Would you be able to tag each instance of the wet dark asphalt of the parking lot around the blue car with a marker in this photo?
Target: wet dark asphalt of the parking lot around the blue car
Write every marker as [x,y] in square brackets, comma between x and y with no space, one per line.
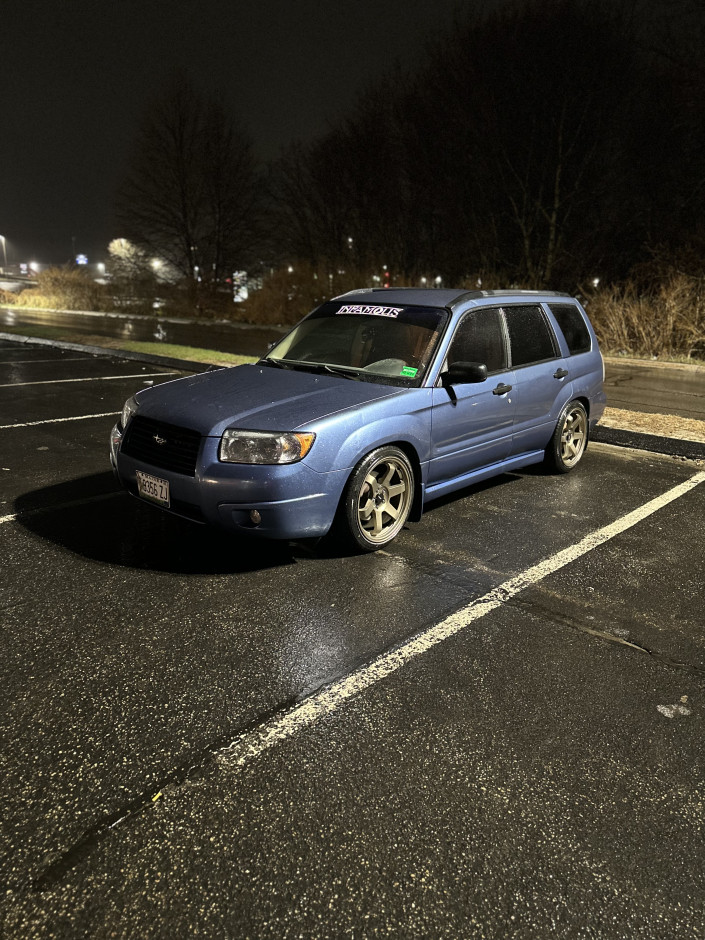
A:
[536,773]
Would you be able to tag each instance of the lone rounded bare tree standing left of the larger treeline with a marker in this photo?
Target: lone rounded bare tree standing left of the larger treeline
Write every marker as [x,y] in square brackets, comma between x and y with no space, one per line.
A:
[189,195]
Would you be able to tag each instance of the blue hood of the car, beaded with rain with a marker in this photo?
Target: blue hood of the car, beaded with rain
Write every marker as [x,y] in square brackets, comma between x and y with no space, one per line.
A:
[259,398]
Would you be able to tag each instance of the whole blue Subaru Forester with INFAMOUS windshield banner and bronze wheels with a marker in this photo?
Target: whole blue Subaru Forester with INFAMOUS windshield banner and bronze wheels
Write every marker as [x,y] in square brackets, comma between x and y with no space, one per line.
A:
[376,402]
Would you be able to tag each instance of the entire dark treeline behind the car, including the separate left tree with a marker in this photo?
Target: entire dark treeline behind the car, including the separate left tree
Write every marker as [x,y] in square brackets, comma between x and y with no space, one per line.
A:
[548,144]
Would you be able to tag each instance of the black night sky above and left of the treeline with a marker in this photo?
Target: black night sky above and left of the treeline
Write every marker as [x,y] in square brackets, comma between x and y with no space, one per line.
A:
[77,76]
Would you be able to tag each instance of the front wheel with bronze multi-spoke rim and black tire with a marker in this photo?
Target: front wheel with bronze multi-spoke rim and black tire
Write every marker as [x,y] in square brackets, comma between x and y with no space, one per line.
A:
[377,499]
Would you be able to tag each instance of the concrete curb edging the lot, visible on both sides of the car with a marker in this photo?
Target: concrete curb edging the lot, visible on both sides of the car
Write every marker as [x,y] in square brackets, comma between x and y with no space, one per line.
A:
[691,450]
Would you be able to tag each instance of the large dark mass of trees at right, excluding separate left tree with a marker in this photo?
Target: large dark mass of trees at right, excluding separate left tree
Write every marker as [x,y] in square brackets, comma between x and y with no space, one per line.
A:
[548,143]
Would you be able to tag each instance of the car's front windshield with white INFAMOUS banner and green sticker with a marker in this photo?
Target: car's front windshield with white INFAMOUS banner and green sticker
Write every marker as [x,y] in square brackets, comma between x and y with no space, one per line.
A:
[377,343]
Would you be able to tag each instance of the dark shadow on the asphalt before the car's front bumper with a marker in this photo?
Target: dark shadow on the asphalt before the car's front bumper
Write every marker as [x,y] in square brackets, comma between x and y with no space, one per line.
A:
[93,517]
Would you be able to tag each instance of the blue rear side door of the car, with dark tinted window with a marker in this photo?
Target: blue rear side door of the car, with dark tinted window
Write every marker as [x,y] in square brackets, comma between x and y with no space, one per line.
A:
[542,380]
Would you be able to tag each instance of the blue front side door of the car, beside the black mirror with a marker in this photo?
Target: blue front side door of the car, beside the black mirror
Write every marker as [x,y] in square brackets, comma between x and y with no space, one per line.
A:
[472,423]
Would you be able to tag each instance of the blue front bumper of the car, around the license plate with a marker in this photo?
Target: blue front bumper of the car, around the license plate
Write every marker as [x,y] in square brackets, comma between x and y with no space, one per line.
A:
[292,501]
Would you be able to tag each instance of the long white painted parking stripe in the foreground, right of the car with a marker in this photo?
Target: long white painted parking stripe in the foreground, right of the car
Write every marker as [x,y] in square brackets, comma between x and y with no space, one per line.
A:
[254,742]
